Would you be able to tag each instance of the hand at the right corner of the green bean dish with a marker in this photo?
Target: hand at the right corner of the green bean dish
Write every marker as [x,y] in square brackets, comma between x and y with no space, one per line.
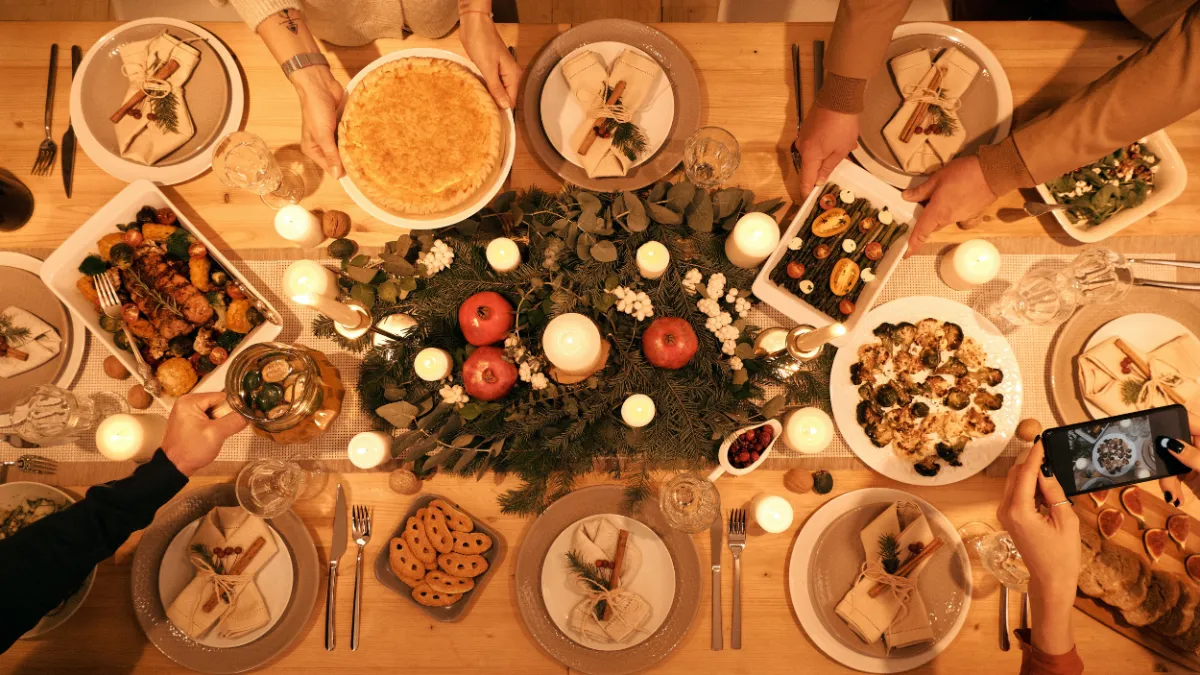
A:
[956,193]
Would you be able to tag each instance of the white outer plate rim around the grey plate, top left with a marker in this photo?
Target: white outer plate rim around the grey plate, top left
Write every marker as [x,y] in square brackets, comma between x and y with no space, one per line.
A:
[125,170]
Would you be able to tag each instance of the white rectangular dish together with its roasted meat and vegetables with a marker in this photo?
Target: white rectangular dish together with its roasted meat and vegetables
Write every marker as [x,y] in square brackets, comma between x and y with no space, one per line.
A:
[184,300]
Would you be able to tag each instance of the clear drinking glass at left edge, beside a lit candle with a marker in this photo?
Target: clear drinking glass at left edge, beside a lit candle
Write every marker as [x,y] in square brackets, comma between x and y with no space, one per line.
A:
[52,416]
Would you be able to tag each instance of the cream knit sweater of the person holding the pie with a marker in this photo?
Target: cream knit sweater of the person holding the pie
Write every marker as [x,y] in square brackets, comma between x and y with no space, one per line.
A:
[357,22]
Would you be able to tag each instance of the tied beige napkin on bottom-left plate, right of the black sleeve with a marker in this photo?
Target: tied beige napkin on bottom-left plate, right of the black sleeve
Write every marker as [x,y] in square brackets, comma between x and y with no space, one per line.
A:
[247,612]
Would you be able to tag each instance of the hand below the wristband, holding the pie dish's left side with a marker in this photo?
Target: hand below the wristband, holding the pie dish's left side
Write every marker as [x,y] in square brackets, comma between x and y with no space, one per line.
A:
[321,103]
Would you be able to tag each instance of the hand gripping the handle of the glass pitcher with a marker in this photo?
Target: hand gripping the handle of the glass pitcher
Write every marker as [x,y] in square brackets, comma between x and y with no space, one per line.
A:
[194,439]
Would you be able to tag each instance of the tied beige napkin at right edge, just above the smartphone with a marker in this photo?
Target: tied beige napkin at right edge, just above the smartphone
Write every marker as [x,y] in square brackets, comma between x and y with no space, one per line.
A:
[1113,383]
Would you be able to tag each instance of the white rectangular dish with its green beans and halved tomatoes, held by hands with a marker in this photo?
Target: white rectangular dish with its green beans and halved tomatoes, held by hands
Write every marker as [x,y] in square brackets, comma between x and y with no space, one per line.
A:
[838,253]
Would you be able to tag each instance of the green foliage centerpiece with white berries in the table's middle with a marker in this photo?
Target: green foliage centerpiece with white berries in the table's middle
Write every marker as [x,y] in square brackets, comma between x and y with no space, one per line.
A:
[579,255]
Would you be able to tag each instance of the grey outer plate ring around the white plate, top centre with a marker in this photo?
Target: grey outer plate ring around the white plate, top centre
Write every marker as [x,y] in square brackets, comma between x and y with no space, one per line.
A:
[675,64]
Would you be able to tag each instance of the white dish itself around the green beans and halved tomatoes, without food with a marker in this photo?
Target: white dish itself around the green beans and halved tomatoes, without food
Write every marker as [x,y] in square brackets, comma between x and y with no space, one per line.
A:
[850,177]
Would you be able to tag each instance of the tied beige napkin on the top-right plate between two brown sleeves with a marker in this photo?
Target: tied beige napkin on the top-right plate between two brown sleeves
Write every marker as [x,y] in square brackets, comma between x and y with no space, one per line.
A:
[932,91]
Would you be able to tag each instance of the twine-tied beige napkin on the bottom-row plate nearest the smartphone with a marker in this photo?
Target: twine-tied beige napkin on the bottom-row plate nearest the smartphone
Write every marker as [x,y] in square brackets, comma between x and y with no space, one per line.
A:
[898,616]
